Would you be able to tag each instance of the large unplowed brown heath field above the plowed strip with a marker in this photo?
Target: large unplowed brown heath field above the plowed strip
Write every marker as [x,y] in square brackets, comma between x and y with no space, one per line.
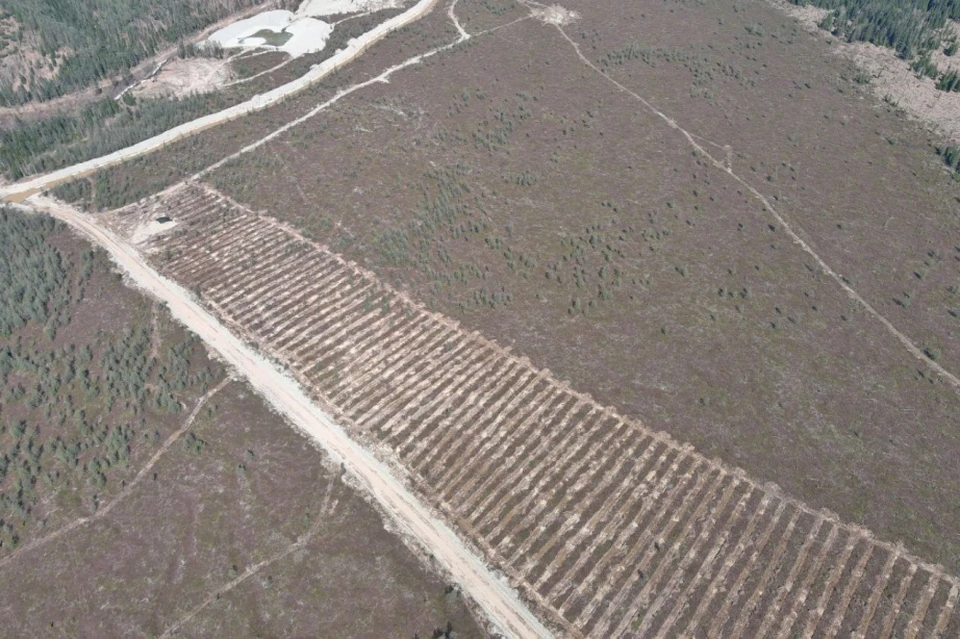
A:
[523,194]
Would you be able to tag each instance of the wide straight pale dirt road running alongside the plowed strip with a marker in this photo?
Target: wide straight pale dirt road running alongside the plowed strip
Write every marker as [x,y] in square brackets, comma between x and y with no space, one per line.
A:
[500,602]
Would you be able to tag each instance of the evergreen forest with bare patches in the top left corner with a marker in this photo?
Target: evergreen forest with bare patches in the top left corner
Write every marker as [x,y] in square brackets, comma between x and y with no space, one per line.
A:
[53,47]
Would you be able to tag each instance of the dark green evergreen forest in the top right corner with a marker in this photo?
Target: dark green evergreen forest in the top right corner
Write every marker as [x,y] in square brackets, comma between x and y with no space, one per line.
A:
[911,27]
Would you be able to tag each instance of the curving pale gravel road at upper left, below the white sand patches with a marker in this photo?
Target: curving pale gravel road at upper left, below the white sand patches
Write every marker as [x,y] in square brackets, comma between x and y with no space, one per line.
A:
[356,47]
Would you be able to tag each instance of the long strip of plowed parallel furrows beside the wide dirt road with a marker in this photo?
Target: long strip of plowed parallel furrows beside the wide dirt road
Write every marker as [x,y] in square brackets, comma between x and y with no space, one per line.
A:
[611,528]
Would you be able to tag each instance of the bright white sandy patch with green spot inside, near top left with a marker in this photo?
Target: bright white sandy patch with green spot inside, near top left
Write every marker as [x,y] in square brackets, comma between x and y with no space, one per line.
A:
[308,34]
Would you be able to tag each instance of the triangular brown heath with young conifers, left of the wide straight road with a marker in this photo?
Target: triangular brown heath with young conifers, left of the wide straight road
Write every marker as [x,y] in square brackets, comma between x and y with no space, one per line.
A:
[124,451]
